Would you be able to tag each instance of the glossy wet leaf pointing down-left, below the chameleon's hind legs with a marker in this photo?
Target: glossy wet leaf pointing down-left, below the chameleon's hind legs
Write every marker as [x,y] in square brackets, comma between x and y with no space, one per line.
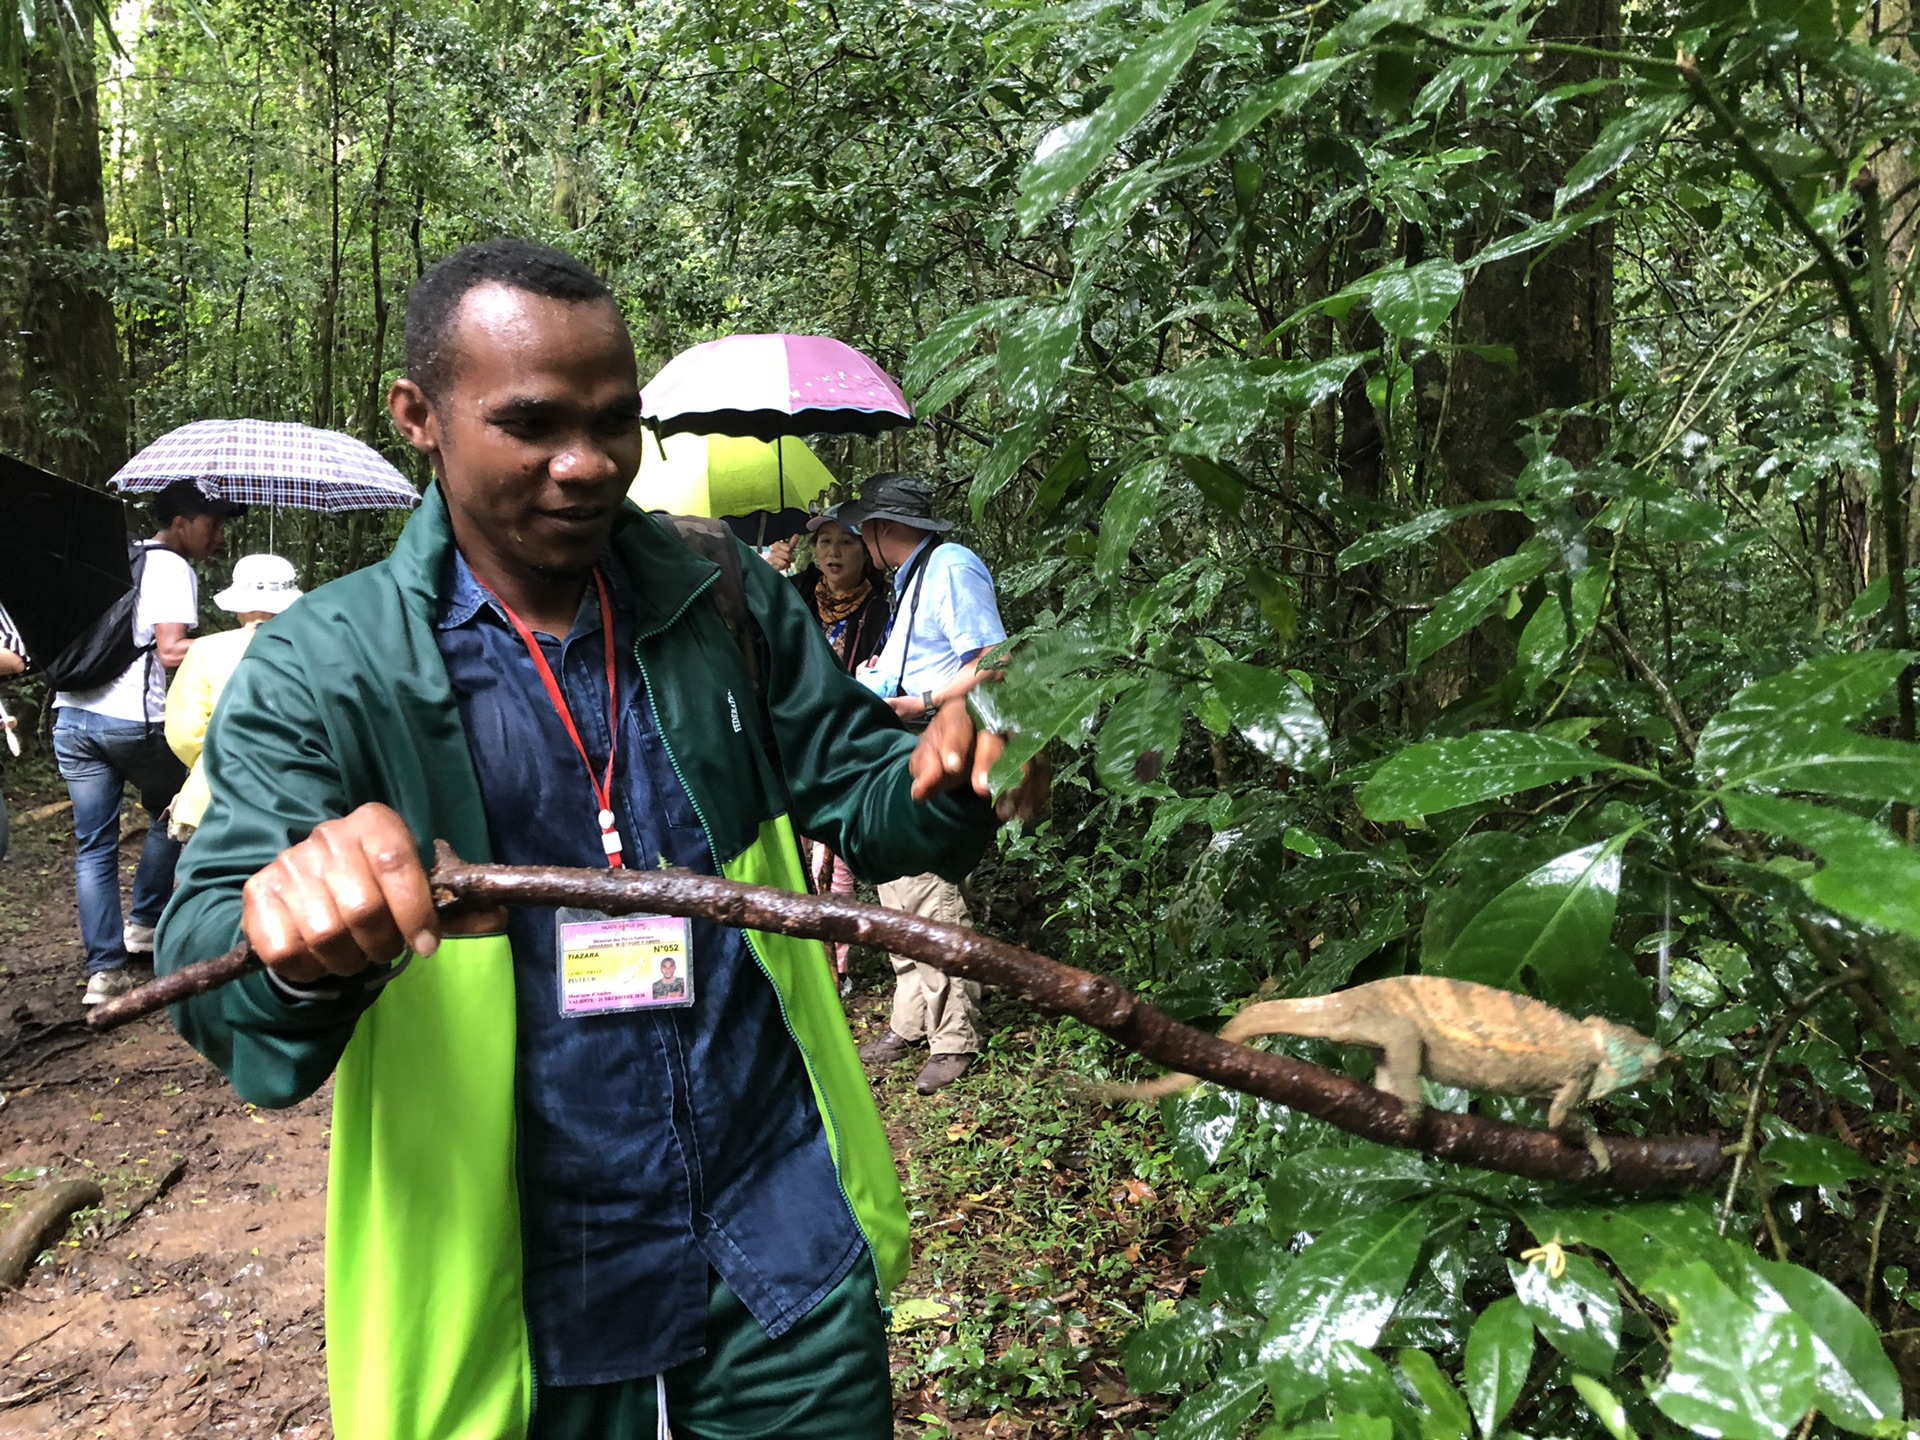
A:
[1343,1287]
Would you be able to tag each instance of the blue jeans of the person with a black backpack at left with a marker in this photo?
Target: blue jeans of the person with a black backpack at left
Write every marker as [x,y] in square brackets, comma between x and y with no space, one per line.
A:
[99,757]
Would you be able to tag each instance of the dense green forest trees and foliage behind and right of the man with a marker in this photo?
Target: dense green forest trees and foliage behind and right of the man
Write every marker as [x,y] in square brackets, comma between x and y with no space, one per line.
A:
[1451,464]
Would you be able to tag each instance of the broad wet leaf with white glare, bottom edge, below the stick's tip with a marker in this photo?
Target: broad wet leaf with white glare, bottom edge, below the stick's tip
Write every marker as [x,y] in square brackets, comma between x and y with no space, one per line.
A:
[1735,1370]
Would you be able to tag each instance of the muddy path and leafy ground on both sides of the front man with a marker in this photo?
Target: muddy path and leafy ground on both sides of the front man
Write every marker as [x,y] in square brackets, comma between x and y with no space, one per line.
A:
[189,1301]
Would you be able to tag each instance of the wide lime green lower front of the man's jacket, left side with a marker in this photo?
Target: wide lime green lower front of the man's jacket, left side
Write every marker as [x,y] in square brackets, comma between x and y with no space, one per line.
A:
[425,1322]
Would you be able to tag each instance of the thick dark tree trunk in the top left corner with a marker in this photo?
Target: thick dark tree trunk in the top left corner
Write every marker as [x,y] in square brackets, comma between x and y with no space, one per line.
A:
[62,381]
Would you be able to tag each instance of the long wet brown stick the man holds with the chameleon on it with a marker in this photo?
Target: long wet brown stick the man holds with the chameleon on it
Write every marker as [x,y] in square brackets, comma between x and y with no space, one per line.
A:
[1637,1164]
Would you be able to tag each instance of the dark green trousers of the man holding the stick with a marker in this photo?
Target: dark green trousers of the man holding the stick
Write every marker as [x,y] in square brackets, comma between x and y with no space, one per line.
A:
[825,1380]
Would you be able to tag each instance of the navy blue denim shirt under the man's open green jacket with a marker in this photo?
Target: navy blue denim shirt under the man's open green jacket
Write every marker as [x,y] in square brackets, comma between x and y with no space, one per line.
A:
[660,1145]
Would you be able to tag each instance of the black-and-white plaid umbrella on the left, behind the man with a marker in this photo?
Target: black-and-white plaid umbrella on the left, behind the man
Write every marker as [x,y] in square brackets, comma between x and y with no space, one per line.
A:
[272,464]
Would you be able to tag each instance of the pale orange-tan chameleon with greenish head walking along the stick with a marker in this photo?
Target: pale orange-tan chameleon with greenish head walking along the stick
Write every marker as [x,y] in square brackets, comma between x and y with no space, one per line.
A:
[1452,1032]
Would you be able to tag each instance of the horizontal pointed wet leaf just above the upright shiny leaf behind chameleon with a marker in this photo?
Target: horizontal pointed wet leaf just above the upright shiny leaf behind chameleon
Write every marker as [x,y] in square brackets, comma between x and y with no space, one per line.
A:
[1443,775]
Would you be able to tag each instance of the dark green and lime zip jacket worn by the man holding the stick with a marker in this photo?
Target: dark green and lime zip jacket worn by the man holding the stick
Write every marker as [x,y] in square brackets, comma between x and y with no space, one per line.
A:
[345,700]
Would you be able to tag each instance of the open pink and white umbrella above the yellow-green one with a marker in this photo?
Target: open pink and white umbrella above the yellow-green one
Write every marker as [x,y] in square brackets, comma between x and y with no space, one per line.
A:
[775,385]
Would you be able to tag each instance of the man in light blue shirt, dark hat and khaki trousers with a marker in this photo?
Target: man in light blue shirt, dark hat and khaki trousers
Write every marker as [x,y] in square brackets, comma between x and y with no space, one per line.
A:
[946,617]
